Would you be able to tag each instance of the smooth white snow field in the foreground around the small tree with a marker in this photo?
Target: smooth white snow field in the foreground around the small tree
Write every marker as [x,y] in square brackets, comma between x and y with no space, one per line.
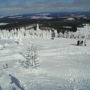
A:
[63,65]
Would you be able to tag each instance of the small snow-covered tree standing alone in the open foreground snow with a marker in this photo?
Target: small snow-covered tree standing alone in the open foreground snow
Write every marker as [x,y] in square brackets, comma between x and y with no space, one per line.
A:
[31,56]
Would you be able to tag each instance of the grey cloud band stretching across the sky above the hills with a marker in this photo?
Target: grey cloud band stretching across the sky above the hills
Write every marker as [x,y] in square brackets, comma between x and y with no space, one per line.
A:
[27,7]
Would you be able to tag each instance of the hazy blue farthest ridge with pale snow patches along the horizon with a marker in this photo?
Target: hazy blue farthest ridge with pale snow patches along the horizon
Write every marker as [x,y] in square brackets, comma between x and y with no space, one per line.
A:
[50,15]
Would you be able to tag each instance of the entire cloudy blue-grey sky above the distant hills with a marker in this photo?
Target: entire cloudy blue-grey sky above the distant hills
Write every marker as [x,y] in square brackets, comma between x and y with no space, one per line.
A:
[14,7]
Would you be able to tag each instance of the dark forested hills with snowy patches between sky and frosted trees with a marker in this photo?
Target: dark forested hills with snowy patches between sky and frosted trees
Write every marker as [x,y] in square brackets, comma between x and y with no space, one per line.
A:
[57,20]
